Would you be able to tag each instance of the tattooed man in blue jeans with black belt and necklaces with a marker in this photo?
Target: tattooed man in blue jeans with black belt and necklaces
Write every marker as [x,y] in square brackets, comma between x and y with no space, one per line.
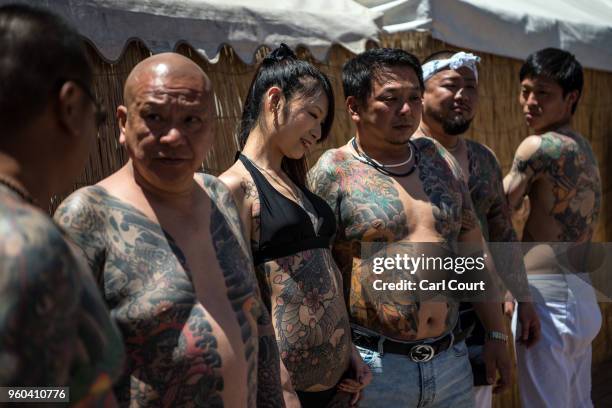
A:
[385,188]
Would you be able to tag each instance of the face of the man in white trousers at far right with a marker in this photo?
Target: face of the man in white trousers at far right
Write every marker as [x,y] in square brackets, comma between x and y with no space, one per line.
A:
[544,106]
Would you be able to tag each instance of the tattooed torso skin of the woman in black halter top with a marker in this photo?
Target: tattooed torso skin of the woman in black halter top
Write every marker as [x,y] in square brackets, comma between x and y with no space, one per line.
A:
[303,292]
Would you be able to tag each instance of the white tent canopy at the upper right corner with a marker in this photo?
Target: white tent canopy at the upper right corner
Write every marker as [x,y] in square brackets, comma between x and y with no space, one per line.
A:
[511,28]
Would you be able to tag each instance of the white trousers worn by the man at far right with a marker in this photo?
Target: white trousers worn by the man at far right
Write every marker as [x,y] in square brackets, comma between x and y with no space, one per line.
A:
[556,372]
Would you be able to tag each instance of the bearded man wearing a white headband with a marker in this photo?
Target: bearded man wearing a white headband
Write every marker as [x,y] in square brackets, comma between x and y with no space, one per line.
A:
[450,101]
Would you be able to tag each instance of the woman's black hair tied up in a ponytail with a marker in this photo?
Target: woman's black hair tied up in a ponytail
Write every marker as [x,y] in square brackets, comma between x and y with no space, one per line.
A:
[294,77]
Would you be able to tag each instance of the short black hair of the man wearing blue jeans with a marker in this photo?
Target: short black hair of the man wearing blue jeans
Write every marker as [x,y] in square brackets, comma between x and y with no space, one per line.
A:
[358,72]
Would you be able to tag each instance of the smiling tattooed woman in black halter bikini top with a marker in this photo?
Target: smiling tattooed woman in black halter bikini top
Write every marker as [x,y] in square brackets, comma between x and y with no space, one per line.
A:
[288,109]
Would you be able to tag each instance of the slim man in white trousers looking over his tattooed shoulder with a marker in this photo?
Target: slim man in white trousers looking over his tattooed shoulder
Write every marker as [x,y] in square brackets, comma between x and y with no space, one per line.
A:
[556,168]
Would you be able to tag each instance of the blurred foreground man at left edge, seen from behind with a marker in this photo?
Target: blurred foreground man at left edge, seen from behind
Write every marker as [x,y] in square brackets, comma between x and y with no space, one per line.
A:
[55,329]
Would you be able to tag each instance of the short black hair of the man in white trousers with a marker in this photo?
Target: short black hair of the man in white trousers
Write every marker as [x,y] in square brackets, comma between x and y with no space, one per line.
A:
[558,65]
